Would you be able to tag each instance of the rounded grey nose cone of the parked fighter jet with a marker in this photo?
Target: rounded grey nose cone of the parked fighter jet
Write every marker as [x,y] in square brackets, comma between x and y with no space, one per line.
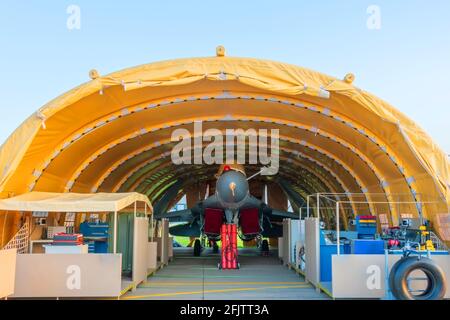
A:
[232,188]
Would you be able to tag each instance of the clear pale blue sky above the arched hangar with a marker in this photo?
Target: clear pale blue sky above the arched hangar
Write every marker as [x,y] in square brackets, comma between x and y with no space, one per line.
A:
[406,62]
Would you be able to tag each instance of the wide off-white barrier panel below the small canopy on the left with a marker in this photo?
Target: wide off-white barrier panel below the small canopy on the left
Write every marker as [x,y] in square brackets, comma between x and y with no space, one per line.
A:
[68,275]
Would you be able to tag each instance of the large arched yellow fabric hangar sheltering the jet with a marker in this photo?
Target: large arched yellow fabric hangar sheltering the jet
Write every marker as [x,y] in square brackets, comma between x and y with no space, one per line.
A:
[113,133]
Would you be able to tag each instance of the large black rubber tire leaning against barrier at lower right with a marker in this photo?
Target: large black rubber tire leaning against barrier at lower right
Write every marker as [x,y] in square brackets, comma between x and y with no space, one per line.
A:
[437,284]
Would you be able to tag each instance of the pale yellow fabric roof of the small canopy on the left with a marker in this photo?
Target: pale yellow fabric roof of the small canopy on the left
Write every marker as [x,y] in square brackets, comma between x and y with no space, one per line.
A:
[72,202]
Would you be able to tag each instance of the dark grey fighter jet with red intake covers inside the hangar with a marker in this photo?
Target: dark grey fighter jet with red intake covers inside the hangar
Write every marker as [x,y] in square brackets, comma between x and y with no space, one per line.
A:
[231,203]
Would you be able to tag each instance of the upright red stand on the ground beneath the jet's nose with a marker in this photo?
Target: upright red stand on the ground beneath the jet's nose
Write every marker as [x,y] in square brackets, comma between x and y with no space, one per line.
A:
[229,247]
